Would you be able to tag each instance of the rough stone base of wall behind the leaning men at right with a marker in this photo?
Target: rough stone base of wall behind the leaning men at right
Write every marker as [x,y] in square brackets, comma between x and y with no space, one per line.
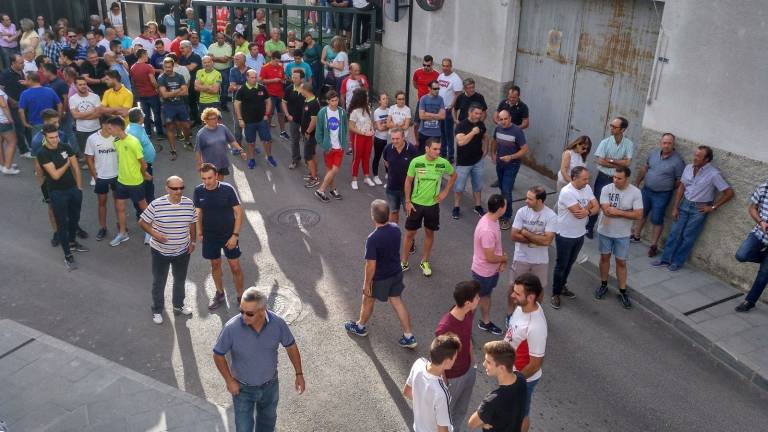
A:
[727,226]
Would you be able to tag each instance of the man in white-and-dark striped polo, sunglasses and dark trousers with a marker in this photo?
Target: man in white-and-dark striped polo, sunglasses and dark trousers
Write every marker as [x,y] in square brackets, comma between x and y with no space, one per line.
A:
[171,221]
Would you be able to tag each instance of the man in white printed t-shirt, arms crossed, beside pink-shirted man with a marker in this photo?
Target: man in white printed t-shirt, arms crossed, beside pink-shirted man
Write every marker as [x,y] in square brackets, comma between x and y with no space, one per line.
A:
[533,230]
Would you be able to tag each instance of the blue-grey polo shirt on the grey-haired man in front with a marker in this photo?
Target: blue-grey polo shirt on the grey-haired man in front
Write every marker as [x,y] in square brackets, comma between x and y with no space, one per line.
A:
[253,354]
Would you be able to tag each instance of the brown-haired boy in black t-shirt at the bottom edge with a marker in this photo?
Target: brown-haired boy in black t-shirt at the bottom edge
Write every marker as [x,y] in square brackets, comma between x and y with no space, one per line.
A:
[502,409]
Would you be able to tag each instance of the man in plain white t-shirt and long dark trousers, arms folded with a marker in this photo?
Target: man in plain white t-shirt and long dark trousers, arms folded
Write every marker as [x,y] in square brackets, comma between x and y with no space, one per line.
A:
[574,206]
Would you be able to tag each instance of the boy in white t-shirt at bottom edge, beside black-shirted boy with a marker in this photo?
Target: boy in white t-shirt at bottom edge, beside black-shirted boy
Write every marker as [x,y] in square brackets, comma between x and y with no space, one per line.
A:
[426,387]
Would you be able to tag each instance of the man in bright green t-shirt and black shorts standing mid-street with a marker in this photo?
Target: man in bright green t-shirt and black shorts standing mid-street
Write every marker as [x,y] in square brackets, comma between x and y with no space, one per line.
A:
[422,200]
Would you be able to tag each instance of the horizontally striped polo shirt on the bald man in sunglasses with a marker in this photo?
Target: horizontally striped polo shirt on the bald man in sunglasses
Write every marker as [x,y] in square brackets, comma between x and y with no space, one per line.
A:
[172,221]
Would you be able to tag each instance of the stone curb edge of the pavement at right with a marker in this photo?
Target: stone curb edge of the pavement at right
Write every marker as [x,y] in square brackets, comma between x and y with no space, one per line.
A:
[747,373]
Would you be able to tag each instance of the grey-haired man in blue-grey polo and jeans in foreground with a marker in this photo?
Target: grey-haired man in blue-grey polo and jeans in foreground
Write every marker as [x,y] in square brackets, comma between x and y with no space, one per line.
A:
[251,339]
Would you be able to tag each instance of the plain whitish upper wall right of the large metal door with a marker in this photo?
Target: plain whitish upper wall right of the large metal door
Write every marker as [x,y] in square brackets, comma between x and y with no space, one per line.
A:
[714,90]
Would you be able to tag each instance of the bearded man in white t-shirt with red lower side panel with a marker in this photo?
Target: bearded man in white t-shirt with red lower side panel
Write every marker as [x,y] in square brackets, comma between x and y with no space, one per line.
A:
[527,333]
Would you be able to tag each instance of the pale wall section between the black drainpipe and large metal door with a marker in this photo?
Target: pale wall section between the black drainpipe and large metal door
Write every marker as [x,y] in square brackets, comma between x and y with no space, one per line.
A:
[474,33]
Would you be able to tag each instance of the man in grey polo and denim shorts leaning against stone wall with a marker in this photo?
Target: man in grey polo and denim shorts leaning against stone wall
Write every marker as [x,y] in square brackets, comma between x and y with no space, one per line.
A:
[661,172]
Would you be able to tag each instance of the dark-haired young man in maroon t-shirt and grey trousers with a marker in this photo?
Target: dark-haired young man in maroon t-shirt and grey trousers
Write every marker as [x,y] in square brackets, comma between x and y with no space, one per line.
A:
[461,377]
